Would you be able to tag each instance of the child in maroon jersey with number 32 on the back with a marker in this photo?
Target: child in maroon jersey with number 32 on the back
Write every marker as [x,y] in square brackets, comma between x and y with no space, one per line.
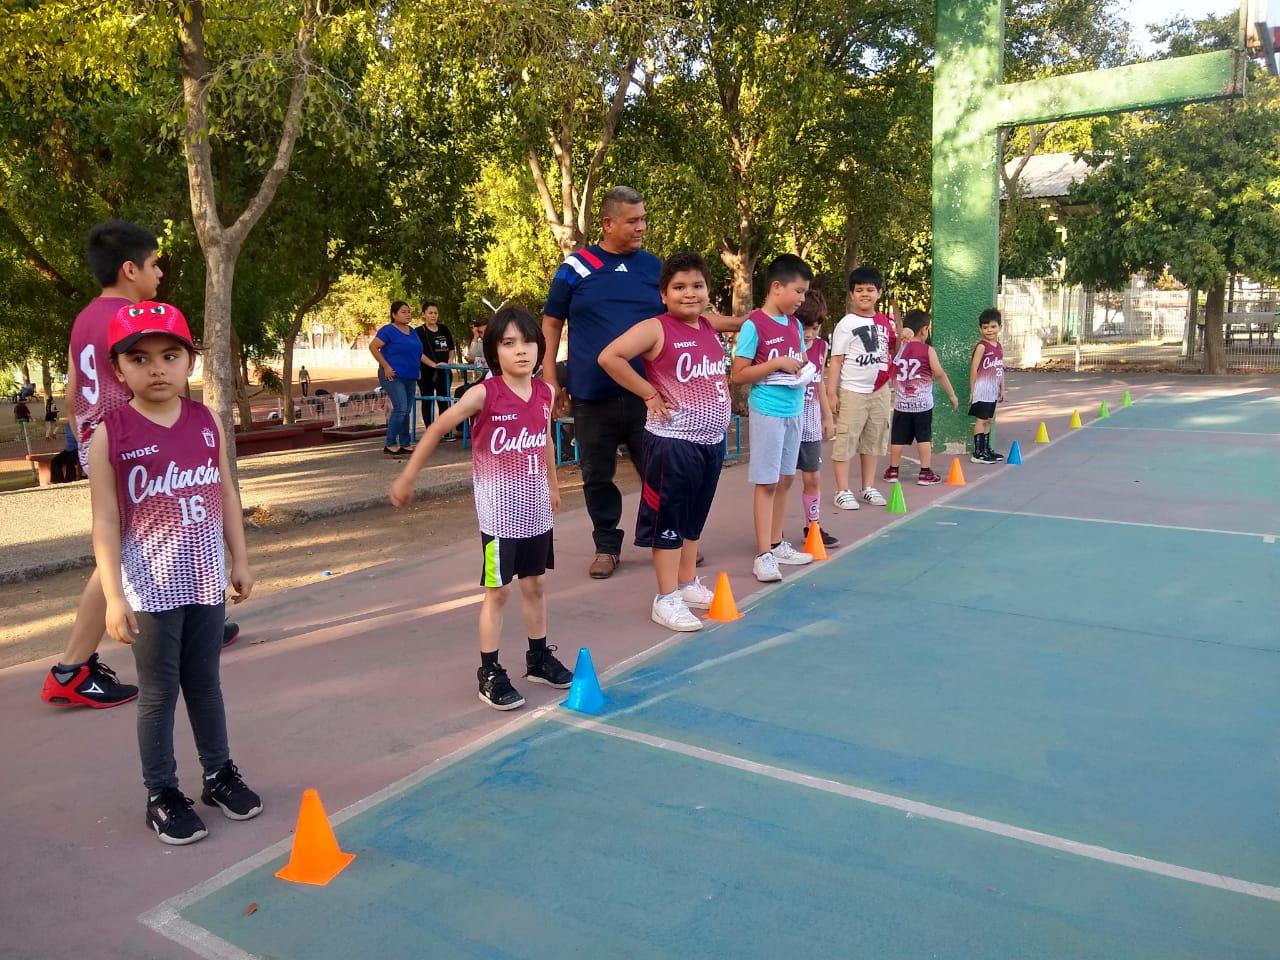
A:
[916,368]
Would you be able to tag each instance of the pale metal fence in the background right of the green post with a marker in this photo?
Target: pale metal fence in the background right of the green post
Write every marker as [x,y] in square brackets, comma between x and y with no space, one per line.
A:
[1052,324]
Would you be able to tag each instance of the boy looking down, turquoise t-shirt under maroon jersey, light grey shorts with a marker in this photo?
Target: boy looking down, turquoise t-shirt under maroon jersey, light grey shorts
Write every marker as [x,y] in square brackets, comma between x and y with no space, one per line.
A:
[769,356]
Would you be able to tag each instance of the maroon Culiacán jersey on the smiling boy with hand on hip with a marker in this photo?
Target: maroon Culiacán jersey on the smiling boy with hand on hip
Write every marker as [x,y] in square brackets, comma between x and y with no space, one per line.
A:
[689,371]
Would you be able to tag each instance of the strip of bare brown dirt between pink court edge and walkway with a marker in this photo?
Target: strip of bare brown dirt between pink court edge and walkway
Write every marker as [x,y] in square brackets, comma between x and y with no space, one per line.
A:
[38,616]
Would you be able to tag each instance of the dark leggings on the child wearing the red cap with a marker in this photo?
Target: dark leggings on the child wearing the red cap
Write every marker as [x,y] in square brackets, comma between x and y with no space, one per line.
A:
[180,650]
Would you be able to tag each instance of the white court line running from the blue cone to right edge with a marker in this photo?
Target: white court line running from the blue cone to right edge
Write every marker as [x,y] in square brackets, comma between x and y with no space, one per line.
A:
[916,808]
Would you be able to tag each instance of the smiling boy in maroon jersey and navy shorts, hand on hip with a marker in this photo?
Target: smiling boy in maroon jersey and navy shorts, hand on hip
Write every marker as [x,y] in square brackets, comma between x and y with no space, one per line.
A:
[687,394]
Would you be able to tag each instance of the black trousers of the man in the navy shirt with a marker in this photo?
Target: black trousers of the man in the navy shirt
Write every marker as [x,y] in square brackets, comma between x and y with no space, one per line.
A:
[600,427]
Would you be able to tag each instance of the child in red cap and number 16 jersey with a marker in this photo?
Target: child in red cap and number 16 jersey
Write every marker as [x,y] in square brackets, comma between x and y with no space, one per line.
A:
[163,505]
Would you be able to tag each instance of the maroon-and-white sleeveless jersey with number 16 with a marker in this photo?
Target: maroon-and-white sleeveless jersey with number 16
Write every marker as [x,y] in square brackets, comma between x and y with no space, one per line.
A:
[168,486]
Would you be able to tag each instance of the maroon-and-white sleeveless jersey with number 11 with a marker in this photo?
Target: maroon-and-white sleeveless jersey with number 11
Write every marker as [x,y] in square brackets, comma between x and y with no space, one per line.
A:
[509,461]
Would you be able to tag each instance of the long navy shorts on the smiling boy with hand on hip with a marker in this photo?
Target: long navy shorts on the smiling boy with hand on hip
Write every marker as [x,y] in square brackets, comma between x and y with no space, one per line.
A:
[679,484]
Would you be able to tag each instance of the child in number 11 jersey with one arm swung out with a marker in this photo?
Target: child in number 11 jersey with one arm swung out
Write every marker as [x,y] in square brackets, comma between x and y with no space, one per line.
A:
[516,493]
